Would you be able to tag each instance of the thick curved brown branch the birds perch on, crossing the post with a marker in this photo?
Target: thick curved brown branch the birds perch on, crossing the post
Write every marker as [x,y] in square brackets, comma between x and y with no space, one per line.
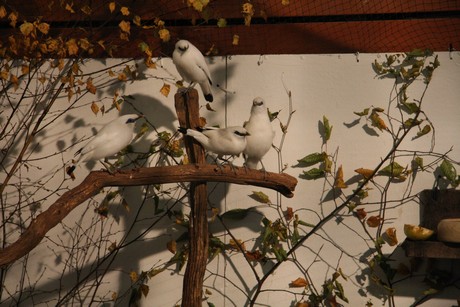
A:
[91,185]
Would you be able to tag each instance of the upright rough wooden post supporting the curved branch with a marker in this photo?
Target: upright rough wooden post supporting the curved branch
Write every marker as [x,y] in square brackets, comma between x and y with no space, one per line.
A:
[187,109]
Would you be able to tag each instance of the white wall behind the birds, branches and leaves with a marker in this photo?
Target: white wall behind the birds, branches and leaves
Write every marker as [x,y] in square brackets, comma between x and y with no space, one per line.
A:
[330,85]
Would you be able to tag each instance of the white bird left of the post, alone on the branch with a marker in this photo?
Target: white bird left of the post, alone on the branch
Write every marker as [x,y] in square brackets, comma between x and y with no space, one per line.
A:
[112,138]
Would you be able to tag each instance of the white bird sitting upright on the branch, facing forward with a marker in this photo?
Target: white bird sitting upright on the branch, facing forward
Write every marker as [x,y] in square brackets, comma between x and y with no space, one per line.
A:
[261,135]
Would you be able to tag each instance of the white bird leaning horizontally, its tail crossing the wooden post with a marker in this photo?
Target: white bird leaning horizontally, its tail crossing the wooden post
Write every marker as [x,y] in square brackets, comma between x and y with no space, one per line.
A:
[220,141]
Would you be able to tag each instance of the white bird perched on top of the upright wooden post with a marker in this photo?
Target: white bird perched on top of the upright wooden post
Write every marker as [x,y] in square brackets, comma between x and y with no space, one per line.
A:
[192,67]
